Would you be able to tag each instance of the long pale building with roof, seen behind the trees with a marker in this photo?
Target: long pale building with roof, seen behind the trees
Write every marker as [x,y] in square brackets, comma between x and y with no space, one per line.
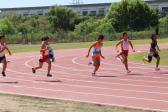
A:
[83,9]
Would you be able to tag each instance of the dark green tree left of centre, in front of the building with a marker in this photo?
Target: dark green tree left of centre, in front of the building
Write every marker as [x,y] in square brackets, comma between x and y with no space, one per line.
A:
[62,17]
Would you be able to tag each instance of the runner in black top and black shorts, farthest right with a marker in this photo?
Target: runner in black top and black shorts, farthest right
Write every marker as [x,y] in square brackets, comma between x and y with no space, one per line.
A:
[152,52]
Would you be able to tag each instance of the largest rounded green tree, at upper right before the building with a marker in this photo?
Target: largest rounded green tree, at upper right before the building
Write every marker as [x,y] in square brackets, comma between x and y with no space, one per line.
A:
[132,13]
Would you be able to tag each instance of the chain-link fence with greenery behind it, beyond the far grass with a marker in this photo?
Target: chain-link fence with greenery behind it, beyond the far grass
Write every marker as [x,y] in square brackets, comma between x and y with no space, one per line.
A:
[66,37]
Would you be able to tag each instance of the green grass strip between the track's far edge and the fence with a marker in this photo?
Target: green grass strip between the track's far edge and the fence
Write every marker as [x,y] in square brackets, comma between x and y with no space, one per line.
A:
[30,48]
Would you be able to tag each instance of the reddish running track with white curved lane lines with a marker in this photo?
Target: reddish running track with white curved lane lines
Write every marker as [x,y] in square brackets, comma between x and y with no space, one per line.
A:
[143,88]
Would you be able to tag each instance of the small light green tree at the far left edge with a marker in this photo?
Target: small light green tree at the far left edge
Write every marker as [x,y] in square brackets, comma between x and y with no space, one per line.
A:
[6,26]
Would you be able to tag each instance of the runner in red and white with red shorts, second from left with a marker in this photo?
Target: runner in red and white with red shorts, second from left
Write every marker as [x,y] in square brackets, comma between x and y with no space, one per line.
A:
[44,57]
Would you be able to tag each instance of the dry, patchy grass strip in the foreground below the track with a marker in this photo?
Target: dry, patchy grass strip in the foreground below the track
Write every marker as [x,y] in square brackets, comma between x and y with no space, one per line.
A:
[15,103]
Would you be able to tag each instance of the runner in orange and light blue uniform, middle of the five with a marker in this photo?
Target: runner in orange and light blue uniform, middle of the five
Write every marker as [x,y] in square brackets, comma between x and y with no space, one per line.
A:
[96,54]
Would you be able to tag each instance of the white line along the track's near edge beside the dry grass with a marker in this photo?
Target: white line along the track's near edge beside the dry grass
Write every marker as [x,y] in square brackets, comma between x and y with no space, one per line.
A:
[85,101]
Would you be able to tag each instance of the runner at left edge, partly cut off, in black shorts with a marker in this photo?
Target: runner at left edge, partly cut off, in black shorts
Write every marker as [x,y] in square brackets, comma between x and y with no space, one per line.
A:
[3,47]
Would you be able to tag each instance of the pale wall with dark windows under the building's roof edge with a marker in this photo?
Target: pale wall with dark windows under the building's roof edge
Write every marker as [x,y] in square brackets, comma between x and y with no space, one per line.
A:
[80,9]
